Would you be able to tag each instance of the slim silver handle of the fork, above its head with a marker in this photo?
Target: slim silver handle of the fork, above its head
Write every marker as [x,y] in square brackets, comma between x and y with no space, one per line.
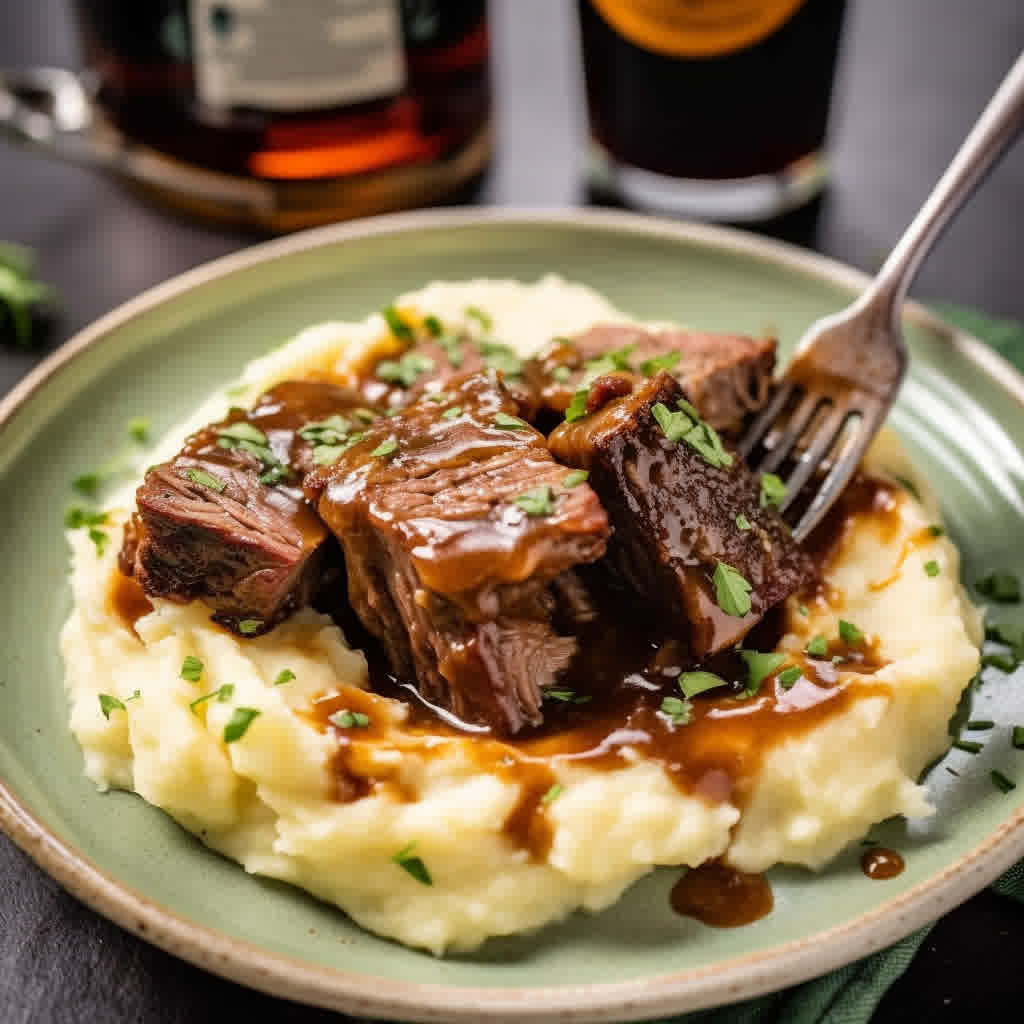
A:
[998,127]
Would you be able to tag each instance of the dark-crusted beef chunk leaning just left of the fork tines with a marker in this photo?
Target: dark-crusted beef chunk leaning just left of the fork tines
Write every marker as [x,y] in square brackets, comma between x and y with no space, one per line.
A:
[680,511]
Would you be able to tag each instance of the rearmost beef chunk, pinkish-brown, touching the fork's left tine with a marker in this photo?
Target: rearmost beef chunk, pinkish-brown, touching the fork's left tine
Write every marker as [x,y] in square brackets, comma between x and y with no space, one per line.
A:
[726,376]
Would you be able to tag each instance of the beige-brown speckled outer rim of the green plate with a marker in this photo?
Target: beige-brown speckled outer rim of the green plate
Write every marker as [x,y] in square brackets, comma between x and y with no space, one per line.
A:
[727,982]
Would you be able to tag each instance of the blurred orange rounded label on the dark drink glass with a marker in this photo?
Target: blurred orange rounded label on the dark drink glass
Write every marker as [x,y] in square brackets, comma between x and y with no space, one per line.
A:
[697,28]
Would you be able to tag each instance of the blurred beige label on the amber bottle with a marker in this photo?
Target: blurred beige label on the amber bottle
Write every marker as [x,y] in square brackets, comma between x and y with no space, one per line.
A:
[296,55]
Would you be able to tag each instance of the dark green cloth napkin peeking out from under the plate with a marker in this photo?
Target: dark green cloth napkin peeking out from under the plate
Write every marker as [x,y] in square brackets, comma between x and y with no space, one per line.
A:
[850,995]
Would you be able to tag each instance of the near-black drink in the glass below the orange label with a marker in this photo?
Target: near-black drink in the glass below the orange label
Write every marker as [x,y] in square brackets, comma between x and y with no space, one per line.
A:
[756,111]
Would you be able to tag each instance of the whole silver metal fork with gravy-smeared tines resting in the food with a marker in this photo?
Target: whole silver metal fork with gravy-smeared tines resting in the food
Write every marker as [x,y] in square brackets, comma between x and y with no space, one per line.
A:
[847,369]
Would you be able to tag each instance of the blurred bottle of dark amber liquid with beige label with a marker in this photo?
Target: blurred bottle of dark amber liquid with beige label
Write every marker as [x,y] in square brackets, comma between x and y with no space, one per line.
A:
[398,115]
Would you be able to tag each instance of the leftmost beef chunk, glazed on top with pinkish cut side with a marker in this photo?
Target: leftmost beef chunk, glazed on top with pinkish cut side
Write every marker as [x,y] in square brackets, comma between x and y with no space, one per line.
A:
[226,522]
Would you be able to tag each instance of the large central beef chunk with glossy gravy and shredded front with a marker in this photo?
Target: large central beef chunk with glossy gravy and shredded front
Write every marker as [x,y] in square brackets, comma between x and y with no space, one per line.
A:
[456,523]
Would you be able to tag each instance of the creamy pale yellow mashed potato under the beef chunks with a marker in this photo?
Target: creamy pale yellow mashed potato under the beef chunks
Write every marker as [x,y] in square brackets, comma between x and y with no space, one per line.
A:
[267,800]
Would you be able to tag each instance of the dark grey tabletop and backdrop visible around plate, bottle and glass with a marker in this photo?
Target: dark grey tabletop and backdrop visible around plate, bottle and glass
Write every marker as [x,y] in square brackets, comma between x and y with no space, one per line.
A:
[914,76]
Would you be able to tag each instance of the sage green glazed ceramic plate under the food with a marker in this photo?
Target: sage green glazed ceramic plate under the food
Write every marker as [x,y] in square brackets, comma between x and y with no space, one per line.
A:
[961,414]
